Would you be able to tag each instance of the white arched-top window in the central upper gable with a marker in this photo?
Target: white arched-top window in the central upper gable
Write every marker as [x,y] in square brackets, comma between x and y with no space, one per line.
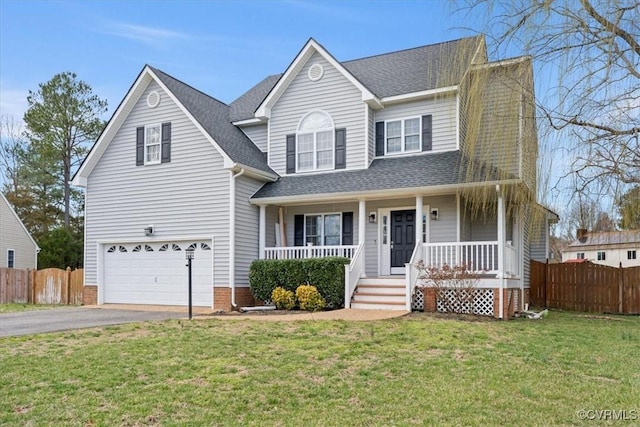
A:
[315,142]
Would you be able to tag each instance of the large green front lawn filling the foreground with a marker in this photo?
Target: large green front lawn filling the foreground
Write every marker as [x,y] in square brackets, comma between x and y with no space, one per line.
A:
[417,370]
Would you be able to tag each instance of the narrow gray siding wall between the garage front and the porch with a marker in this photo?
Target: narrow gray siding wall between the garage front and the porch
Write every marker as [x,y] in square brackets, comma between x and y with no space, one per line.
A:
[247,228]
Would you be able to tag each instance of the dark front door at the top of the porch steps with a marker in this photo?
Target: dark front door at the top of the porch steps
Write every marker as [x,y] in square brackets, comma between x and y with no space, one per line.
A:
[402,239]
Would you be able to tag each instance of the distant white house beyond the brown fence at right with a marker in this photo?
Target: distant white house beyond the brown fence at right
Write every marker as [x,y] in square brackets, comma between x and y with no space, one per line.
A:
[613,248]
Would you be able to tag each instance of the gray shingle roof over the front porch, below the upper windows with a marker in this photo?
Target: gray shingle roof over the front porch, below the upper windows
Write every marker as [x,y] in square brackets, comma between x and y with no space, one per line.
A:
[399,177]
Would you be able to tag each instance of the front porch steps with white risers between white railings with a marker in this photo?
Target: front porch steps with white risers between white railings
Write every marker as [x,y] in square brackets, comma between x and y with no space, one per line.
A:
[380,293]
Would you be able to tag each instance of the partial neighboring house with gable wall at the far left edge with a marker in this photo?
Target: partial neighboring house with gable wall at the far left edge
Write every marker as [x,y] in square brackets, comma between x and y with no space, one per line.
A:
[17,247]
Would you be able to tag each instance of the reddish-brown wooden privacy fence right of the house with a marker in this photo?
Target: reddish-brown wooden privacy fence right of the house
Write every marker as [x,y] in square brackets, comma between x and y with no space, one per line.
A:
[585,287]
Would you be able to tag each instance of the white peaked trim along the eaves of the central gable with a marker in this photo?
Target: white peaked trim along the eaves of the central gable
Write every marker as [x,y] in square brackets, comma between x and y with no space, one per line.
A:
[310,48]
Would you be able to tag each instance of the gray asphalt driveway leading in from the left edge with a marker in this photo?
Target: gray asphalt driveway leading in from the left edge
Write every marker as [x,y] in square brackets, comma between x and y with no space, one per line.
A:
[63,319]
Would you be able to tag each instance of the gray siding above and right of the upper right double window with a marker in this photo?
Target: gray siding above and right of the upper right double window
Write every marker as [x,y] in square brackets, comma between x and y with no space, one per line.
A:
[443,110]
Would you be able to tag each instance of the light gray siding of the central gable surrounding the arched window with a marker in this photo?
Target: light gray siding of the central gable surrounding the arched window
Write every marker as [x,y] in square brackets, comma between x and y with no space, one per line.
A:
[333,94]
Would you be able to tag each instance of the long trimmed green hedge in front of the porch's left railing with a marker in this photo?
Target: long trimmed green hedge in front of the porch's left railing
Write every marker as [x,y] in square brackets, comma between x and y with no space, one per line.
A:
[327,274]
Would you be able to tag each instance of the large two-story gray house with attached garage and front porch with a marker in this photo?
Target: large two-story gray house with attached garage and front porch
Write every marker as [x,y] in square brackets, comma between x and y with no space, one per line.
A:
[380,159]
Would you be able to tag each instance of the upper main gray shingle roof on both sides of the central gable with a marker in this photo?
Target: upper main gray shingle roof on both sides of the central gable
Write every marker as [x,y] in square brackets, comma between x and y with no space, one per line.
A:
[395,73]
